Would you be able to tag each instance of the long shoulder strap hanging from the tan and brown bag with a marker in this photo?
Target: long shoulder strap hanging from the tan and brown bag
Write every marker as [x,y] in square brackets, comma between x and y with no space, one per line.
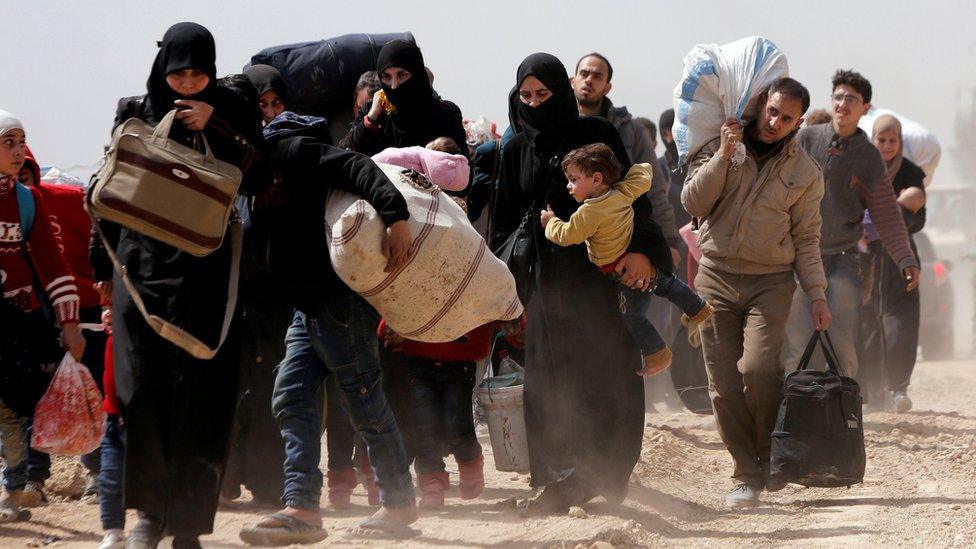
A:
[172,333]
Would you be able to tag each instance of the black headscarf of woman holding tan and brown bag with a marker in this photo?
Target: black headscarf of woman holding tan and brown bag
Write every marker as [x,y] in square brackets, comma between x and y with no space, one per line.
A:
[184,46]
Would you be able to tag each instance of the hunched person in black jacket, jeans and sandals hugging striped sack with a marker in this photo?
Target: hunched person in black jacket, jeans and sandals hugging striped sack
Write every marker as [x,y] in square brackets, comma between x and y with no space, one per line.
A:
[333,332]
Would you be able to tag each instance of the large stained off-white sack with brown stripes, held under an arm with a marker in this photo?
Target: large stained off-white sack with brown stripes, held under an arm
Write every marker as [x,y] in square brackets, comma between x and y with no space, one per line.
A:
[452,284]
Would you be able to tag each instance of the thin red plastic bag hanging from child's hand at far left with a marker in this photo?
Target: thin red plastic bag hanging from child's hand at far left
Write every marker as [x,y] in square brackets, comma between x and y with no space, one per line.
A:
[69,419]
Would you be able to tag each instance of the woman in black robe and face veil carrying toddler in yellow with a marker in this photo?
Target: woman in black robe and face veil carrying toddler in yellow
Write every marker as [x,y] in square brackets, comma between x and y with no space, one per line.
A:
[584,402]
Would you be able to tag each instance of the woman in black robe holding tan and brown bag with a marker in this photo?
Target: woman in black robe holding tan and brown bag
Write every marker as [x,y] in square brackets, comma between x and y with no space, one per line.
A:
[178,409]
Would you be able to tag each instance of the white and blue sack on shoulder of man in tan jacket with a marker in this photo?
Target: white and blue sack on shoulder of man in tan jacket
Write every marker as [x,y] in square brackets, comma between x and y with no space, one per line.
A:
[720,82]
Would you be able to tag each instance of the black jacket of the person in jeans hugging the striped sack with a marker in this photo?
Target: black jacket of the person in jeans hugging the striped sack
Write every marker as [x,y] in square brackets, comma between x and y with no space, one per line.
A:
[307,169]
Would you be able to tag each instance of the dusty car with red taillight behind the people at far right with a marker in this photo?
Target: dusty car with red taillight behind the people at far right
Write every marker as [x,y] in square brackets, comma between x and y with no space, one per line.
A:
[936,332]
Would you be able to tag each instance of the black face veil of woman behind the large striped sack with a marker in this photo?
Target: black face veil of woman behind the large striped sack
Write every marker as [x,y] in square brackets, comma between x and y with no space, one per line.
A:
[413,97]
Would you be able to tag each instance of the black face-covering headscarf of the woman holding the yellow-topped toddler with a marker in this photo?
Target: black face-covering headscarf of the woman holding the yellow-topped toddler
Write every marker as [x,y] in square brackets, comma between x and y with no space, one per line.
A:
[546,124]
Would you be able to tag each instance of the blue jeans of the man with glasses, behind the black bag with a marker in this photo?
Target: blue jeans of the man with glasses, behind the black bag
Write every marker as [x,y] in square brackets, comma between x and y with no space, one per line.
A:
[843,272]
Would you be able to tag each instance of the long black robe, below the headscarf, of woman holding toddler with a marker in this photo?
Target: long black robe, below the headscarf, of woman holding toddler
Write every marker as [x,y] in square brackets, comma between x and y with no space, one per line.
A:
[584,403]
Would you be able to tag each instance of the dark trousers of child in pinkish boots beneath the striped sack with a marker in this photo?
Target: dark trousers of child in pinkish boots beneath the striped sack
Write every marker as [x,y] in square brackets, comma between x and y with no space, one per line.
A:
[441,398]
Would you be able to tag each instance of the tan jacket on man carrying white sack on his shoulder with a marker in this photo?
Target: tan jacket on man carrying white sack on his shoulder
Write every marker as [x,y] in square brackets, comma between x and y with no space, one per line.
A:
[759,223]
